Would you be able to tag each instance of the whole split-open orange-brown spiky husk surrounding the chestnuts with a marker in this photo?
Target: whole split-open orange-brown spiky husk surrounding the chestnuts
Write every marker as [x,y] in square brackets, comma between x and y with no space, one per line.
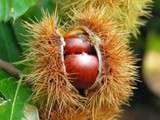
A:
[52,90]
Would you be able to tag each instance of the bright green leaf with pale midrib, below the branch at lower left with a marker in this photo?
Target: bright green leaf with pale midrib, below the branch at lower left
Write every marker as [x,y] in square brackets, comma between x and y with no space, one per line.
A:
[15,97]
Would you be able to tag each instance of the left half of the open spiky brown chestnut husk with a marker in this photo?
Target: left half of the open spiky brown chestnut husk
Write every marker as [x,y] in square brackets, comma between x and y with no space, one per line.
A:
[52,90]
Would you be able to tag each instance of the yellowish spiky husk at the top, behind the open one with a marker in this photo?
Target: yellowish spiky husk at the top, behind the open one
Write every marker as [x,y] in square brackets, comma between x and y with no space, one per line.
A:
[125,12]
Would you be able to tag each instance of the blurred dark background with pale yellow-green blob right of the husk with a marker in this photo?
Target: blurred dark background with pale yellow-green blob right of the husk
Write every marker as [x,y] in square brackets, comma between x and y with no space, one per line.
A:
[145,104]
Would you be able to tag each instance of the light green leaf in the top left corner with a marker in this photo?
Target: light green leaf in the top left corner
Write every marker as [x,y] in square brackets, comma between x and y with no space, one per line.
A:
[14,8]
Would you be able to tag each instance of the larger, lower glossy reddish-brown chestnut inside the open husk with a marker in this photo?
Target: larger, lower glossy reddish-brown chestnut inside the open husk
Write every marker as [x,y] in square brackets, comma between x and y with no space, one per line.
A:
[83,69]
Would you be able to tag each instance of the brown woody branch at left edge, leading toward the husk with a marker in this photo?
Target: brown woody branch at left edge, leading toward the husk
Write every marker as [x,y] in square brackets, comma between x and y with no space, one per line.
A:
[9,68]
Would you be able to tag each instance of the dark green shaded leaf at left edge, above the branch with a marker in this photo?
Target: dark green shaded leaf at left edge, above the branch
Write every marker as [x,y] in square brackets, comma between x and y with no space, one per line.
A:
[9,49]
